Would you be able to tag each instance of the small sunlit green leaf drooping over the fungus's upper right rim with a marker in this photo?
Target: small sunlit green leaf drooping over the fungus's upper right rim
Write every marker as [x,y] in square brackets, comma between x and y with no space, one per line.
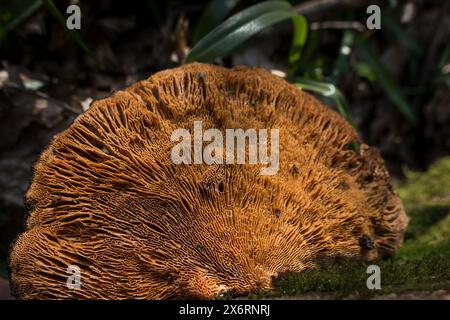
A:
[327,90]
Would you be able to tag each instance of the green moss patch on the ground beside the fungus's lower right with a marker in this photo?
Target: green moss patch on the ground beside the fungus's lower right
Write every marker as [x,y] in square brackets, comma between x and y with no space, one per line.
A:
[423,263]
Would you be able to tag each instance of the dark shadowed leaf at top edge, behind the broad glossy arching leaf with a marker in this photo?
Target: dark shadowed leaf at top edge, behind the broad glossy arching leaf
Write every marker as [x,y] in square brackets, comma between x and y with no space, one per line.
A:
[216,11]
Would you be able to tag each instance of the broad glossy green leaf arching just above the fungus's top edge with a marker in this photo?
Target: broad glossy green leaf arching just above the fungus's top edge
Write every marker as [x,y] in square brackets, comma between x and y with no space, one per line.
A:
[225,38]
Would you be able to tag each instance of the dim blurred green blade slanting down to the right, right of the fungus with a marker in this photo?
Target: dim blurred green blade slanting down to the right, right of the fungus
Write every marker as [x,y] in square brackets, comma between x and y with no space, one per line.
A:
[387,82]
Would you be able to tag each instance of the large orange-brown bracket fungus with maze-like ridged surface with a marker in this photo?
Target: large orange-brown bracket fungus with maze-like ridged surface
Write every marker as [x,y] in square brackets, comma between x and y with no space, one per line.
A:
[107,198]
